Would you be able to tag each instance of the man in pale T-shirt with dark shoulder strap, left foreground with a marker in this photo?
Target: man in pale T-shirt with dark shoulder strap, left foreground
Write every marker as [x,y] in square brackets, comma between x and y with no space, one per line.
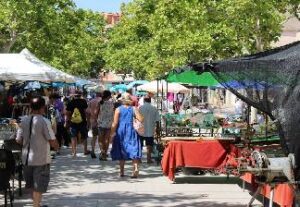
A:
[36,136]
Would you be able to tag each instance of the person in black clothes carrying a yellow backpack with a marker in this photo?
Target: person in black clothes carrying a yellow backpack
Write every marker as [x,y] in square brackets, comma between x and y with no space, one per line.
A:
[76,120]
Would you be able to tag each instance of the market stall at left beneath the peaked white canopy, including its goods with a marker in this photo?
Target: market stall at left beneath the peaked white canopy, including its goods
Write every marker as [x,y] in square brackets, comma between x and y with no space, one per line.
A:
[19,73]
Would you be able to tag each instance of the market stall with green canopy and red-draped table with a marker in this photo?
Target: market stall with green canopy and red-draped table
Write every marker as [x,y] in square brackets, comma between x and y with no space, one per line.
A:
[201,146]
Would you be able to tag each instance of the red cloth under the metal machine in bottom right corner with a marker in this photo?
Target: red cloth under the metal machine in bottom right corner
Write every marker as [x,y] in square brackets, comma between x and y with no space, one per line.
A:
[283,193]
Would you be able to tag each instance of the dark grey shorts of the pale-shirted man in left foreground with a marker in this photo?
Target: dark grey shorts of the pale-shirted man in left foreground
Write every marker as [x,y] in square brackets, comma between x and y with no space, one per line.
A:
[37,177]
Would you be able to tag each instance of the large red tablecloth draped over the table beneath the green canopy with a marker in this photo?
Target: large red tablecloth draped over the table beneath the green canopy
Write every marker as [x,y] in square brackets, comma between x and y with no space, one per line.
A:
[201,154]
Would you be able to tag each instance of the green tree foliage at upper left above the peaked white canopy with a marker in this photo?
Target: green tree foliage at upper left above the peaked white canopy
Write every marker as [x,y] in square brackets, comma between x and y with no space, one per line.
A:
[68,38]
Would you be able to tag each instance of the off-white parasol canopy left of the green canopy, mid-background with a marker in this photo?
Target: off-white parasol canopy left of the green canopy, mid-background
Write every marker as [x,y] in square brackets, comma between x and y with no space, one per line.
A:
[163,86]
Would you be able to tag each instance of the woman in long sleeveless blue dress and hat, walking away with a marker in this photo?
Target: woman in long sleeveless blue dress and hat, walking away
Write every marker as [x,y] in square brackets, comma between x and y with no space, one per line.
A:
[125,141]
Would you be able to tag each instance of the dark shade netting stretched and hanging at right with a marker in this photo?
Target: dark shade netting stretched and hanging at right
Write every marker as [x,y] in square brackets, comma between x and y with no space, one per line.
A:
[271,83]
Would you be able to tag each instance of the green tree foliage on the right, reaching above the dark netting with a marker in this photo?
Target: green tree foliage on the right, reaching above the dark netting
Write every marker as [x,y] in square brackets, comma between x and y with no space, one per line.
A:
[154,36]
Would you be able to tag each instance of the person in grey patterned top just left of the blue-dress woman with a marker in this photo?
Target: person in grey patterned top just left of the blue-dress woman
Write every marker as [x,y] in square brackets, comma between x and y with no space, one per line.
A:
[105,119]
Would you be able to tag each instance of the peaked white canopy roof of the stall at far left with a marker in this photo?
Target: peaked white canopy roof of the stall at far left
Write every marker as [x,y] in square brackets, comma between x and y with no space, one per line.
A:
[26,67]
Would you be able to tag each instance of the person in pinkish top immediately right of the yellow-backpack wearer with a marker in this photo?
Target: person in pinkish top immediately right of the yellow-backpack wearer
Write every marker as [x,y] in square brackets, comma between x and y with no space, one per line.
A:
[92,111]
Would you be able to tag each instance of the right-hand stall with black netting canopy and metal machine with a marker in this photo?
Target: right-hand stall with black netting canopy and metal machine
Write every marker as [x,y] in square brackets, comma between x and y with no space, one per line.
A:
[275,75]
